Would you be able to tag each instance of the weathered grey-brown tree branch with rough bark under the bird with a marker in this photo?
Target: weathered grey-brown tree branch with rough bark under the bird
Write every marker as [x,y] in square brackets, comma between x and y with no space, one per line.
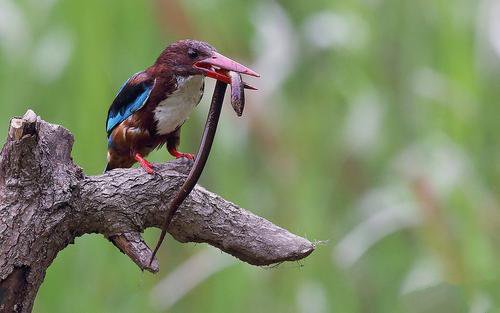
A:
[46,201]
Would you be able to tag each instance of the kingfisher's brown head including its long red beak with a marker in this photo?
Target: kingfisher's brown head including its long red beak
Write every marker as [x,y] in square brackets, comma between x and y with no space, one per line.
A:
[192,57]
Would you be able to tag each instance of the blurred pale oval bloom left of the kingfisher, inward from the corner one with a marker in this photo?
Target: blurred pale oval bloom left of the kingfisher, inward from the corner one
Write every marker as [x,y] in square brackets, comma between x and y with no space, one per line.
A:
[52,55]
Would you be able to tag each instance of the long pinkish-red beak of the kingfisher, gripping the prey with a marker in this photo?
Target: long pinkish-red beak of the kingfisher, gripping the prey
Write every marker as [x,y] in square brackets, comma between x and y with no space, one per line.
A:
[216,66]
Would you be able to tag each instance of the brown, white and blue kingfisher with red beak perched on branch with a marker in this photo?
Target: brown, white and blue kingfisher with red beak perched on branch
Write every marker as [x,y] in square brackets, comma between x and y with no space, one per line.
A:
[152,105]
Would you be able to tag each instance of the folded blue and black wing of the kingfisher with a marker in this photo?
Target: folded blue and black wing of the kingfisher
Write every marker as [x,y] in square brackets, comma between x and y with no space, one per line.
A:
[130,98]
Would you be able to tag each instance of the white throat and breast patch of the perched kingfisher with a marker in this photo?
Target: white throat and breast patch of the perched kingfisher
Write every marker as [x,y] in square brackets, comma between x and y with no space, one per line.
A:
[175,109]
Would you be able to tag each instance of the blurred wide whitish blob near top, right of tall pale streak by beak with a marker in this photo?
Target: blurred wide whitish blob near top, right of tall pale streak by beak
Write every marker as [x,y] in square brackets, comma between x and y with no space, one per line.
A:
[335,30]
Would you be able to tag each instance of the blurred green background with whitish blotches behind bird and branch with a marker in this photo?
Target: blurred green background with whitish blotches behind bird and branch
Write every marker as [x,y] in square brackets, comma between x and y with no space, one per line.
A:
[375,131]
